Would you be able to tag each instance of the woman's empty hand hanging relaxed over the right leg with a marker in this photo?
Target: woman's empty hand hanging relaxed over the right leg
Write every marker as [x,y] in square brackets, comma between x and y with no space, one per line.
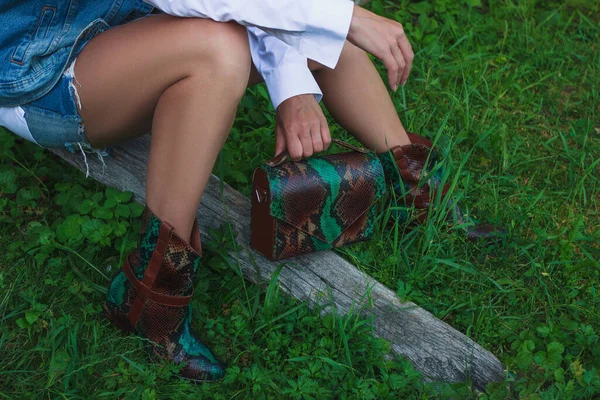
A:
[385,39]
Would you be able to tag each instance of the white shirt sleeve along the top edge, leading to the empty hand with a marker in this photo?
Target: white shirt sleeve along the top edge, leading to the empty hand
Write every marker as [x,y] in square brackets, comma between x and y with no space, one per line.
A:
[317,29]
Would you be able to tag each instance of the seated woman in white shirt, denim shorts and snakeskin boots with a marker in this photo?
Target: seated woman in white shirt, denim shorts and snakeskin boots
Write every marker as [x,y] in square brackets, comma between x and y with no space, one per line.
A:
[91,74]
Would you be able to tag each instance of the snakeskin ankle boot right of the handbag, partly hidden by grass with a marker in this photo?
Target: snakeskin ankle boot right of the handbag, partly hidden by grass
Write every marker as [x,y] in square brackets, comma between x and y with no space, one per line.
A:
[404,167]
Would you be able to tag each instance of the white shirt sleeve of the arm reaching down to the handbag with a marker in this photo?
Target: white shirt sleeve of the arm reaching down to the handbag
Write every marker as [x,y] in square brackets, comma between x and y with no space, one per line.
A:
[284,70]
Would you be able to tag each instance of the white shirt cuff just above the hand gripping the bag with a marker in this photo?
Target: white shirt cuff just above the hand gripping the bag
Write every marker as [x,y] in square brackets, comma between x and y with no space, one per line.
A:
[289,80]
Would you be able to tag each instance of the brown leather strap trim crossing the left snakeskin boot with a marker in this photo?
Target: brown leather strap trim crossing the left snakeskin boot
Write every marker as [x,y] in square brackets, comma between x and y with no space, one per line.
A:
[144,287]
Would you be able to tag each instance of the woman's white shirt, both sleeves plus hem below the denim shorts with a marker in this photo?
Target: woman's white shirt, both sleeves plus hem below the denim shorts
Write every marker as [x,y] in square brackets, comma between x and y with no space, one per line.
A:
[283,35]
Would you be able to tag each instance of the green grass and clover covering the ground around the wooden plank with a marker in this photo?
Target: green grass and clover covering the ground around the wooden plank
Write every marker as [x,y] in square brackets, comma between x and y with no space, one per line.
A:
[509,91]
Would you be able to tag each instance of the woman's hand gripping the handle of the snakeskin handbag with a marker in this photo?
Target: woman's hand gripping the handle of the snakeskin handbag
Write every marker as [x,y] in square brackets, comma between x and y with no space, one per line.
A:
[301,127]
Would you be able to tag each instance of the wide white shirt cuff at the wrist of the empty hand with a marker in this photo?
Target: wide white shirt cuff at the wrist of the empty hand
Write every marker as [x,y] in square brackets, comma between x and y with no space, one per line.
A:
[326,34]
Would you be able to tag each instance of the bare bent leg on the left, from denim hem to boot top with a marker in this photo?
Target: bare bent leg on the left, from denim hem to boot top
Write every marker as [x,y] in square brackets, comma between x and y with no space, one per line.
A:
[180,77]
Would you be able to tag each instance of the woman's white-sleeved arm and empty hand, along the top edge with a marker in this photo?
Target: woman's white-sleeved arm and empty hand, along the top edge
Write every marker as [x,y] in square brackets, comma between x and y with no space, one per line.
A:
[317,29]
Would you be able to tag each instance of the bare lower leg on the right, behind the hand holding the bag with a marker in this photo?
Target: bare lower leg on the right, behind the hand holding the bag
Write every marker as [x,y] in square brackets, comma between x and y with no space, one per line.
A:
[358,100]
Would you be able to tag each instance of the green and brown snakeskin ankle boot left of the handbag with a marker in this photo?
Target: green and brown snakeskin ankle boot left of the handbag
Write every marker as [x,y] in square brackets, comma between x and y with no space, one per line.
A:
[151,297]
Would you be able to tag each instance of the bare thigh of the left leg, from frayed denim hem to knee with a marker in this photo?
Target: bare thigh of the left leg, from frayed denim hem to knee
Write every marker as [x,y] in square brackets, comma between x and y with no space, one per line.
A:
[121,74]
